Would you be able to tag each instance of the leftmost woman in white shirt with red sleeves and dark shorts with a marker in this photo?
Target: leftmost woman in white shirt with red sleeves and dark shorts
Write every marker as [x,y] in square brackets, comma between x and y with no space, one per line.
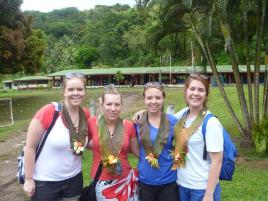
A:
[56,175]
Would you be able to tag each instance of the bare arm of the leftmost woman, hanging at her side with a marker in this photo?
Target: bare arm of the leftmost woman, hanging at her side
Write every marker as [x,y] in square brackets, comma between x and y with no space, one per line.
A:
[34,135]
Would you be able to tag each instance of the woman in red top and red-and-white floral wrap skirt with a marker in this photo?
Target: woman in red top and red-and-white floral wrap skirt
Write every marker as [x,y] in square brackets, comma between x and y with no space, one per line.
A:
[112,139]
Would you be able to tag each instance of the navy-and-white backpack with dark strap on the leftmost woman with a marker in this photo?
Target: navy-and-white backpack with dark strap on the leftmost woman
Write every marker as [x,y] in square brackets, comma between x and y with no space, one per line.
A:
[21,166]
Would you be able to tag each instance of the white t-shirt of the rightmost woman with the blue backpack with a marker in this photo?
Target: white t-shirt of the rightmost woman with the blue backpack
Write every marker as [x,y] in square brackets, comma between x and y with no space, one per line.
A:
[195,174]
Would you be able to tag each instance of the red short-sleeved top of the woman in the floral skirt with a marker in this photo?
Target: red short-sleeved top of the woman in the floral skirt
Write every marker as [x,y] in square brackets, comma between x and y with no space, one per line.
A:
[93,134]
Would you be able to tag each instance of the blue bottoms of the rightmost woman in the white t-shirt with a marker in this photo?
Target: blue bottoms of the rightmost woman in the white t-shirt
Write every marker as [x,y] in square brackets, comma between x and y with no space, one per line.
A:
[187,194]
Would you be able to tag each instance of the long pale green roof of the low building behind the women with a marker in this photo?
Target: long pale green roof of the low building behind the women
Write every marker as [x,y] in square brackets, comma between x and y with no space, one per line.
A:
[151,70]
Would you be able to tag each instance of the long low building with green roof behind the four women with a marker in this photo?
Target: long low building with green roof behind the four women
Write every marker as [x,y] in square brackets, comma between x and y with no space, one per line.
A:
[140,75]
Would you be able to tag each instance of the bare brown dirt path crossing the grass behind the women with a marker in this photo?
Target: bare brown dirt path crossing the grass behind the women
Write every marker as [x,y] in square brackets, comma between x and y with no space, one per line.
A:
[10,189]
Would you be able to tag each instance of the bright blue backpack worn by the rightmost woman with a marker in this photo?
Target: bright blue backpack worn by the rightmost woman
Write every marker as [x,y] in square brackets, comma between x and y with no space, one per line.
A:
[229,152]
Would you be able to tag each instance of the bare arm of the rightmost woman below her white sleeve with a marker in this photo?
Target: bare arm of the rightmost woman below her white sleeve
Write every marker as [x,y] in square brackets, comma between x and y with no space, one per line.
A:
[214,173]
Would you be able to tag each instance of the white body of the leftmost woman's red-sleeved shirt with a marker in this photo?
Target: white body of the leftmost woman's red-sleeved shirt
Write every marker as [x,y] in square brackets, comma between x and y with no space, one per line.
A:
[56,161]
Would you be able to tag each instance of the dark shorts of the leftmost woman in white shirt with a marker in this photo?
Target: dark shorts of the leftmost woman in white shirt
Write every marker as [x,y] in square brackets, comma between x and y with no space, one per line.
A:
[68,189]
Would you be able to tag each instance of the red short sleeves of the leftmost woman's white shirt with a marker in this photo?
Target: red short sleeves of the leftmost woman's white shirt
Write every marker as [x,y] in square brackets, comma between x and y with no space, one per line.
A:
[46,113]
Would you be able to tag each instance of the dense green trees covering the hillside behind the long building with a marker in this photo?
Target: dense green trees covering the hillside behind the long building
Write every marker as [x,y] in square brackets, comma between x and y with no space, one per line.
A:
[114,36]
